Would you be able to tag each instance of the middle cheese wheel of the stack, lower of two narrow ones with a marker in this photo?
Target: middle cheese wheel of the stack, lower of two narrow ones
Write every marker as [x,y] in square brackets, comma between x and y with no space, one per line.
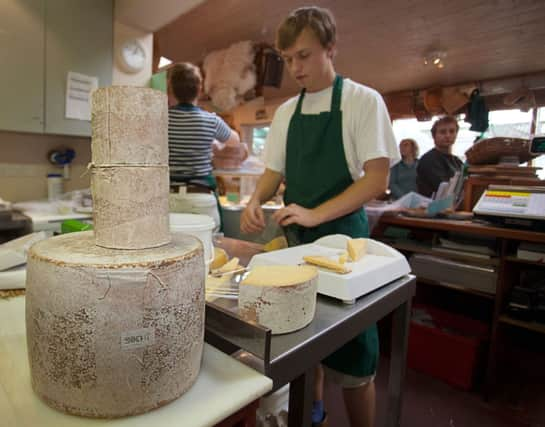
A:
[130,206]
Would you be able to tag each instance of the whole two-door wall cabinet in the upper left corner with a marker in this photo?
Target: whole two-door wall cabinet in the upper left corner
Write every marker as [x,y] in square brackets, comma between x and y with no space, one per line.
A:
[40,42]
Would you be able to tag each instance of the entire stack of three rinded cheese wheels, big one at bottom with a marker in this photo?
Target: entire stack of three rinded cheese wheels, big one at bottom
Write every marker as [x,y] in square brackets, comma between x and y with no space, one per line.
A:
[115,317]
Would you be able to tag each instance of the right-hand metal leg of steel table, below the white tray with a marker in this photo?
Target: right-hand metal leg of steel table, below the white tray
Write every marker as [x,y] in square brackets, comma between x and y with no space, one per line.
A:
[398,360]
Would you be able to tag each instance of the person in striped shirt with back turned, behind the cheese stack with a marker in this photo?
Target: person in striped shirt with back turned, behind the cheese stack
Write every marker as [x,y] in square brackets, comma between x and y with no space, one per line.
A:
[192,131]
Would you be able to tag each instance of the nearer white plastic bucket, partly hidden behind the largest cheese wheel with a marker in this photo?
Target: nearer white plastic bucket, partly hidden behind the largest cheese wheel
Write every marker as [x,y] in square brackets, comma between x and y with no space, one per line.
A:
[200,226]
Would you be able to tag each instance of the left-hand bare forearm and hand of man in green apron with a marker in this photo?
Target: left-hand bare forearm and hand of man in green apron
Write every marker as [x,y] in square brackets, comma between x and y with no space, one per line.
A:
[252,219]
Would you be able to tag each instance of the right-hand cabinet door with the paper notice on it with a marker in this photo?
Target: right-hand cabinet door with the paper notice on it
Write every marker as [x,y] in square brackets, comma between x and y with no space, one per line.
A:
[79,38]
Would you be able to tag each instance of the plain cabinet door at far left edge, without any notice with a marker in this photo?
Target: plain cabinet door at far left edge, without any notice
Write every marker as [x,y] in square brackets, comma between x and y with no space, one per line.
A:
[22,65]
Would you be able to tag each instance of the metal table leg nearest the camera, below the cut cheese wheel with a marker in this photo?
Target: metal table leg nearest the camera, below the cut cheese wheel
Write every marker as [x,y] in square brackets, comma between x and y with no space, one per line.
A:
[301,397]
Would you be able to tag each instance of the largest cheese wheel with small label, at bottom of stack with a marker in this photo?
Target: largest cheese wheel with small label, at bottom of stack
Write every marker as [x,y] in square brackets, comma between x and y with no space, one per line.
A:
[111,332]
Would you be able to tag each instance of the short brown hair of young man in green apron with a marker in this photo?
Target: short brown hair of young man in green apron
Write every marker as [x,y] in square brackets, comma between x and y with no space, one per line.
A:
[319,20]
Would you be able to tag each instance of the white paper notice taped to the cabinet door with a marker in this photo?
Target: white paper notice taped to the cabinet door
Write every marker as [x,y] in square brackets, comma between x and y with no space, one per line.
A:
[78,95]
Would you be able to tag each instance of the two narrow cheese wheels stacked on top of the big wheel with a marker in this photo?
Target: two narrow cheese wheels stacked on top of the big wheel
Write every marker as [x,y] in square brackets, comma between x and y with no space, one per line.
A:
[129,177]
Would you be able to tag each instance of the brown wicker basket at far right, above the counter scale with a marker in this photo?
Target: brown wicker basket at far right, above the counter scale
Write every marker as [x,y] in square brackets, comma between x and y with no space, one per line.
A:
[491,150]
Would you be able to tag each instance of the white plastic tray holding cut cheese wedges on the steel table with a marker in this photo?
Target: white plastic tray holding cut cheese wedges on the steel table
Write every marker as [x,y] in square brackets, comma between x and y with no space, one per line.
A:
[381,265]
